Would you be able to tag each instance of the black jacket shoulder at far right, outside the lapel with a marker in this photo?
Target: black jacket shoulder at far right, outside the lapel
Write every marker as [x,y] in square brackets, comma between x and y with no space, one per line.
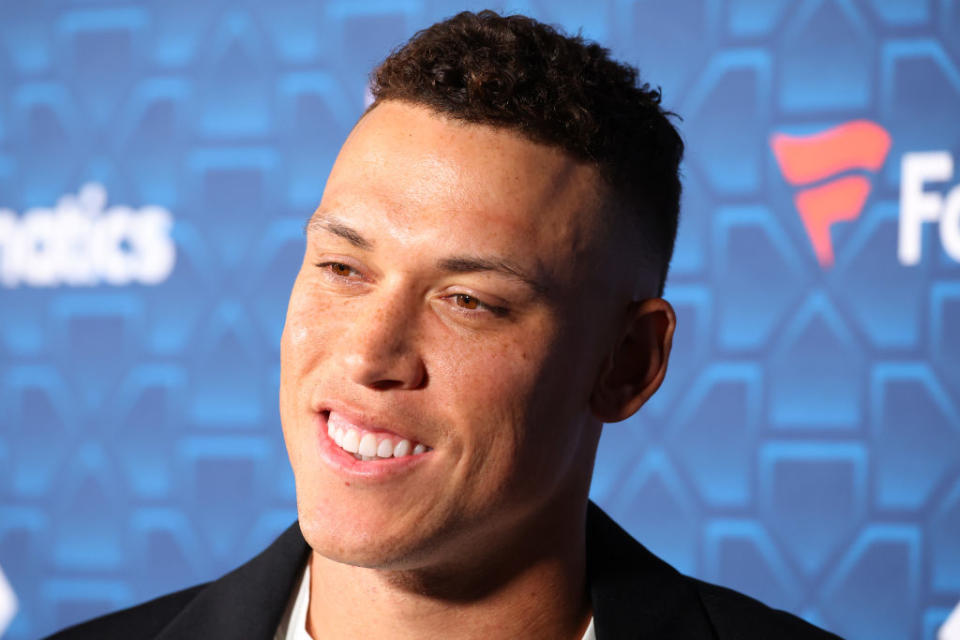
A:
[736,616]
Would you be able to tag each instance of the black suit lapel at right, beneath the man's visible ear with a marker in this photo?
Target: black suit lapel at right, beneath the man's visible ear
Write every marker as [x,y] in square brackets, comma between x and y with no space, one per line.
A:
[634,593]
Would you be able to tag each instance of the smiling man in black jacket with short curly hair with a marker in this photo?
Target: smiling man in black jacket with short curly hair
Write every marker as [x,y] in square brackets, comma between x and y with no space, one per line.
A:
[479,293]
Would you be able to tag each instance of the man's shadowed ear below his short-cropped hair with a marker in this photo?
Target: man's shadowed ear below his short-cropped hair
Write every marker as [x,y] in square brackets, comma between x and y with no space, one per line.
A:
[635,368]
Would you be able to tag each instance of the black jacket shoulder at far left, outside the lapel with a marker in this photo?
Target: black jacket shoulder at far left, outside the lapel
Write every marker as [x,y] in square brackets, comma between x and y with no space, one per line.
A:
[144,620]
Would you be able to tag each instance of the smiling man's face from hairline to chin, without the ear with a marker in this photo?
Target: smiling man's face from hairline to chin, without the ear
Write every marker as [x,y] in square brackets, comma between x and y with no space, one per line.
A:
[456,292]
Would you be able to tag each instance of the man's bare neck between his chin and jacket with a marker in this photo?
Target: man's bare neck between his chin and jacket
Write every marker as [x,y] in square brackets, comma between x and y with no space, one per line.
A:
[537,590]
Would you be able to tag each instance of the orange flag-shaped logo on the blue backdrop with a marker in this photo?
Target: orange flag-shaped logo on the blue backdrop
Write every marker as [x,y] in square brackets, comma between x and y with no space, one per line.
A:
[815,162]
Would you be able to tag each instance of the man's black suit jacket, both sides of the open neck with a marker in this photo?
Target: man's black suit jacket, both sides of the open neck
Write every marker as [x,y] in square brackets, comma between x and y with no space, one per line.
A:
[634,595]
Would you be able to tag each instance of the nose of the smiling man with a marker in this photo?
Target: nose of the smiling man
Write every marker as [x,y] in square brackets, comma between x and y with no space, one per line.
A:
[381,351]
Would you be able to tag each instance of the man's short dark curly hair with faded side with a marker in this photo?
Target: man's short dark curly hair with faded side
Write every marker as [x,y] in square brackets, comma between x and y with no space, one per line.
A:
[516,73]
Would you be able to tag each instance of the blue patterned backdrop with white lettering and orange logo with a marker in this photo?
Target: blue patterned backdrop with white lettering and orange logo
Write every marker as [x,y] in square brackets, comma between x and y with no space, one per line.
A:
[158,161]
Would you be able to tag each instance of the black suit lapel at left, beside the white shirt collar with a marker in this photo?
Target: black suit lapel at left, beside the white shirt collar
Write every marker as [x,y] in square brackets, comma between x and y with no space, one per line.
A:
[248,602]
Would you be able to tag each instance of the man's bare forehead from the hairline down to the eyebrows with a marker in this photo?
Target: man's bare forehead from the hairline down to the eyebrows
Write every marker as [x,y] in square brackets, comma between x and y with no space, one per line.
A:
[406,168]
